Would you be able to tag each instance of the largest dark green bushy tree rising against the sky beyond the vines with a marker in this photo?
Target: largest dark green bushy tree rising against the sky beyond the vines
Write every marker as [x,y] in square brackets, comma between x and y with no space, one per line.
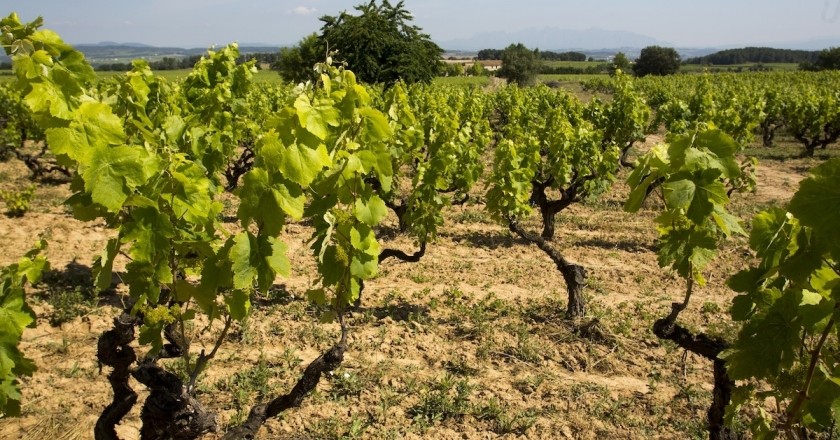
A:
[381,45]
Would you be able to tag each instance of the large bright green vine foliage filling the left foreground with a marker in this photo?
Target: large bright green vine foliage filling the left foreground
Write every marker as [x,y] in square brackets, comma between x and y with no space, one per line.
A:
[148,159]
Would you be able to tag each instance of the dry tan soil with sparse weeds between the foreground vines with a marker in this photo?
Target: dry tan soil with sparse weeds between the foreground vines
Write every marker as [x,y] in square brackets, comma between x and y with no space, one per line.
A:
[469,343]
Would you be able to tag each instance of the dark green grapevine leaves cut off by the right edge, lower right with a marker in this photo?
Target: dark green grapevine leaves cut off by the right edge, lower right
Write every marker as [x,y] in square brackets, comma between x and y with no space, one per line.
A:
[788,305]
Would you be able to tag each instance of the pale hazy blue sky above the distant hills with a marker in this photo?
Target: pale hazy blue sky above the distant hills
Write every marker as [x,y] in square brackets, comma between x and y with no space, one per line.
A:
[201,23]
